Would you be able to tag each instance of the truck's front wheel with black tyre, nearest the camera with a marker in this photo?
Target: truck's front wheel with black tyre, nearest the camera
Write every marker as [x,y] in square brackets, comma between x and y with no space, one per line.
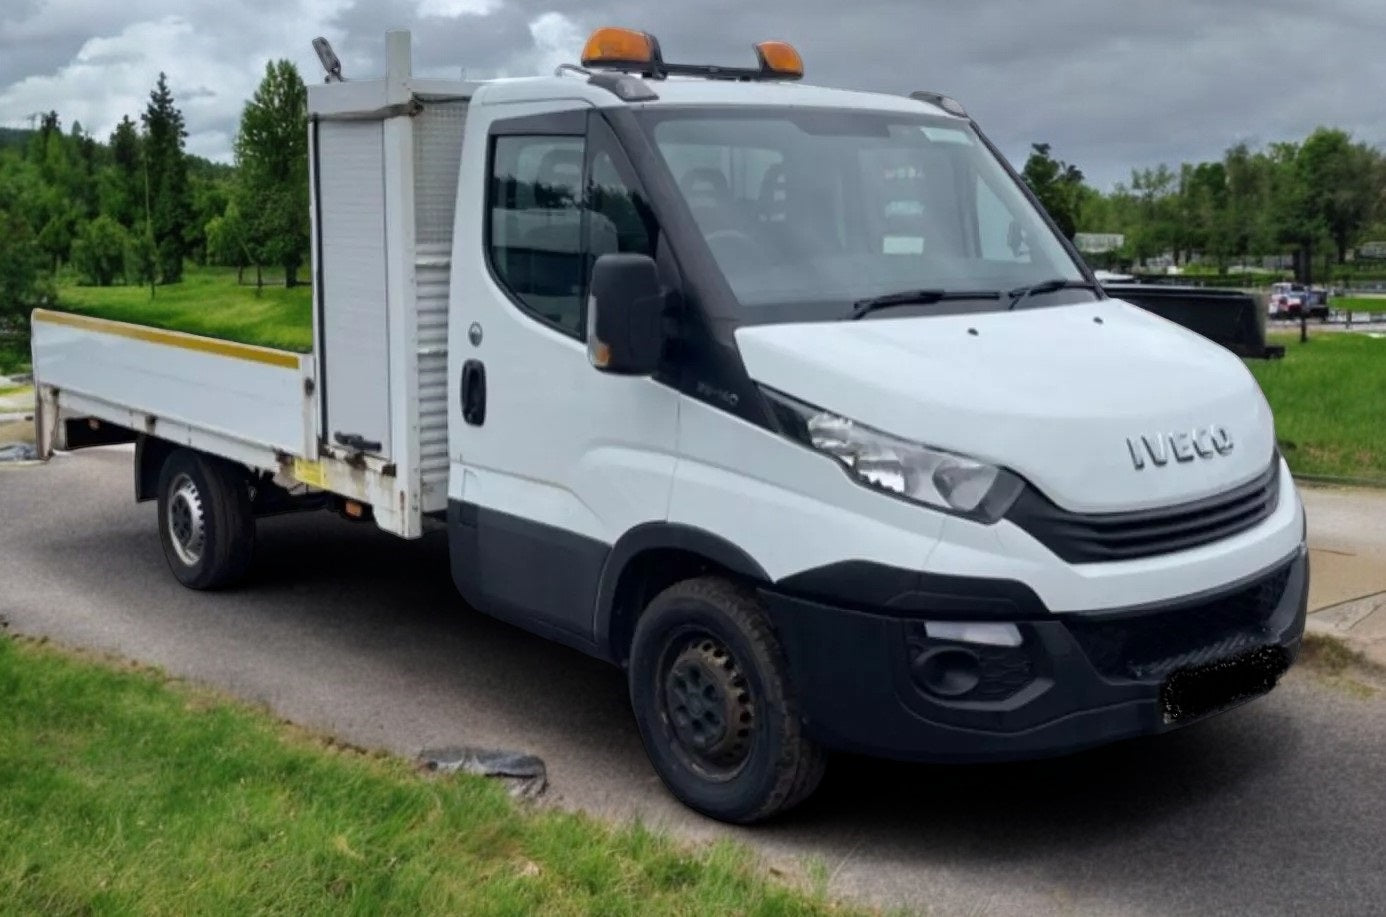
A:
[755,760]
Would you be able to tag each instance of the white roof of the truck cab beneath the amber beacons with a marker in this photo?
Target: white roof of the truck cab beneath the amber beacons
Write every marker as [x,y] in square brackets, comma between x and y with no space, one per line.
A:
[681,91]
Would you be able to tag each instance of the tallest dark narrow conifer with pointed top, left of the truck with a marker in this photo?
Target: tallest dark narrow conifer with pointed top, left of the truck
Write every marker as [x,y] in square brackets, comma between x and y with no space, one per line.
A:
[166,164]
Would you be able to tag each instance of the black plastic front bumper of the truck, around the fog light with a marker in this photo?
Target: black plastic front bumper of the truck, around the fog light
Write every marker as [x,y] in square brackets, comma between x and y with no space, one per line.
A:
[860,688]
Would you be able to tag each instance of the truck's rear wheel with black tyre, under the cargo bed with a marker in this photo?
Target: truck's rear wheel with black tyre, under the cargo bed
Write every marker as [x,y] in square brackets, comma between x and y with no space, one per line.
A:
[206,520]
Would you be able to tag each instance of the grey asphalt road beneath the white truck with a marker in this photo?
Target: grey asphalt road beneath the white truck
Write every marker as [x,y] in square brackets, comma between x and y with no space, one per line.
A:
[1276,808]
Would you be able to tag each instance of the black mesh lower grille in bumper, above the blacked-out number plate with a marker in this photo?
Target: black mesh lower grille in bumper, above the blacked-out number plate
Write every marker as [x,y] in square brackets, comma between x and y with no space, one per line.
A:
[1146,646]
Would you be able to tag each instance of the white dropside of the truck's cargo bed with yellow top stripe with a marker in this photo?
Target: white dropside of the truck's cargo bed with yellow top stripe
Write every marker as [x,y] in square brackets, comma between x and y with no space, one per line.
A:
[102,382]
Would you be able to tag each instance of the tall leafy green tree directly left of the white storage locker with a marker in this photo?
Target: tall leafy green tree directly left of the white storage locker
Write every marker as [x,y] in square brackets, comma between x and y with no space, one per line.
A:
[272,159]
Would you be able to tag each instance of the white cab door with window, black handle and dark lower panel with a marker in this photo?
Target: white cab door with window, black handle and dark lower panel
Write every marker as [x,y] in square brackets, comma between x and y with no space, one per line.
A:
[552,461]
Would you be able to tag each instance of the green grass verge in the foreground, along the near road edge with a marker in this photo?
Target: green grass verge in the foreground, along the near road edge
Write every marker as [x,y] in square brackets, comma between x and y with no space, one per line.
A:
[124,793]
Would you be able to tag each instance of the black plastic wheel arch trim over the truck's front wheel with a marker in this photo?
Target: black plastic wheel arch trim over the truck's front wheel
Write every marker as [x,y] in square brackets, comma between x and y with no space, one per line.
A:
[649,559]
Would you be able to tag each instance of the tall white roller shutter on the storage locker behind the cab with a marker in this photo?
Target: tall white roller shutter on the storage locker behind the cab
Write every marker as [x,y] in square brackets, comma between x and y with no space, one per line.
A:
[356,330]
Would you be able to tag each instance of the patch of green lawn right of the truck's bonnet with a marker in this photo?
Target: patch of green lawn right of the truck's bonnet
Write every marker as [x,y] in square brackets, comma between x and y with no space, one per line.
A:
[1330,404]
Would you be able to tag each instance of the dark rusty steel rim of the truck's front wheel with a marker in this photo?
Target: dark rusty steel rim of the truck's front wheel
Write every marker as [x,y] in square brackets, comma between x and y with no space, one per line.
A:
[706,706]
